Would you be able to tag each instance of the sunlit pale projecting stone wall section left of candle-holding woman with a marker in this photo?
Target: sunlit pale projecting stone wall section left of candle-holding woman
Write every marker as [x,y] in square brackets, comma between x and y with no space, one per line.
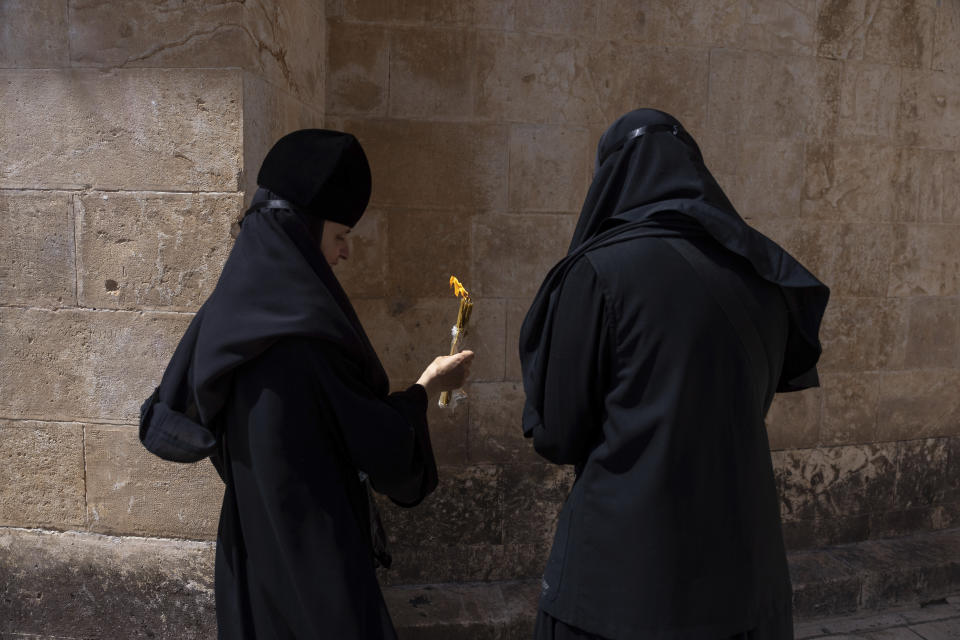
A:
[125,133]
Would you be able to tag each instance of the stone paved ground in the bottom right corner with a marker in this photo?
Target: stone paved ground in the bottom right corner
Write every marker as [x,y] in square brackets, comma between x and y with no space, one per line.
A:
[936,620]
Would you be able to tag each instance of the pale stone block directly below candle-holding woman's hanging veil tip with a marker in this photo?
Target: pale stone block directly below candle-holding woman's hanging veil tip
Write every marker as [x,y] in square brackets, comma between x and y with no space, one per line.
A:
[131,491]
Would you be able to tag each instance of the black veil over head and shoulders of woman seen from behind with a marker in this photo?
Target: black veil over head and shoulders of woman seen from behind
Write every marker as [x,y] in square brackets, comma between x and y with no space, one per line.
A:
[650,181]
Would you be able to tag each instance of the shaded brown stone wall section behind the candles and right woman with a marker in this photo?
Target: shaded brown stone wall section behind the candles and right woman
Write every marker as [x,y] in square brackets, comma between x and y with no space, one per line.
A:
[831,125]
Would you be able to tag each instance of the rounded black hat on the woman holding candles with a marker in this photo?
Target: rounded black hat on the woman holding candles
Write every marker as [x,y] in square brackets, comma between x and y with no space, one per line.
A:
[325,173]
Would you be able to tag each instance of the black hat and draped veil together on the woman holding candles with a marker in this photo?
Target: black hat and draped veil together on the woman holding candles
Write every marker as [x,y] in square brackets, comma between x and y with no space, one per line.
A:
[275,284]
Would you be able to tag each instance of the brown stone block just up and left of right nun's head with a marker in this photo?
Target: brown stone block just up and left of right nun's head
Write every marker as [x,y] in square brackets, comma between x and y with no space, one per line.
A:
[534,79]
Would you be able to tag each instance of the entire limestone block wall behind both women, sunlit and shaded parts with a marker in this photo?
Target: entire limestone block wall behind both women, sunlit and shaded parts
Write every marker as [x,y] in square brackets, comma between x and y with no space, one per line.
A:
[129,138]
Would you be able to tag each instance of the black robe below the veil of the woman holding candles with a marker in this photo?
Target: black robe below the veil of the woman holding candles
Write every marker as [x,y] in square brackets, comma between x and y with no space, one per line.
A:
[293,547]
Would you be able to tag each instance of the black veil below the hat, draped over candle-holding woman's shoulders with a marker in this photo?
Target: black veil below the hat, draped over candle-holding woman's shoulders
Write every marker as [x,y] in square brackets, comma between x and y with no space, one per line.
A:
[275,283]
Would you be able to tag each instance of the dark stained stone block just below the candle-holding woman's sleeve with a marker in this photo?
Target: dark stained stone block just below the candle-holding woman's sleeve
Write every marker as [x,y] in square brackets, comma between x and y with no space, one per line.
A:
[465,509]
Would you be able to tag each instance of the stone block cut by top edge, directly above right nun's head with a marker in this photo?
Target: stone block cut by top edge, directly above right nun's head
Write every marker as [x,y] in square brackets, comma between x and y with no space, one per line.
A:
[685,23]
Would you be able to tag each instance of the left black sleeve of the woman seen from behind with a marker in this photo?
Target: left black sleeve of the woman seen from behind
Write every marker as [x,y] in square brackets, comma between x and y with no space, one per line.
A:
[579,352]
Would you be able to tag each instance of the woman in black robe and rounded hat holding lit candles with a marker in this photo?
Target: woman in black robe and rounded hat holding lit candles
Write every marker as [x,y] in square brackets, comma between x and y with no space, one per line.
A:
[277,382]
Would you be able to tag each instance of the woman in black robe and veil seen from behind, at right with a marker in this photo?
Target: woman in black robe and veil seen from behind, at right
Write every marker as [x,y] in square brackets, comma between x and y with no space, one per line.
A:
[650,357]
